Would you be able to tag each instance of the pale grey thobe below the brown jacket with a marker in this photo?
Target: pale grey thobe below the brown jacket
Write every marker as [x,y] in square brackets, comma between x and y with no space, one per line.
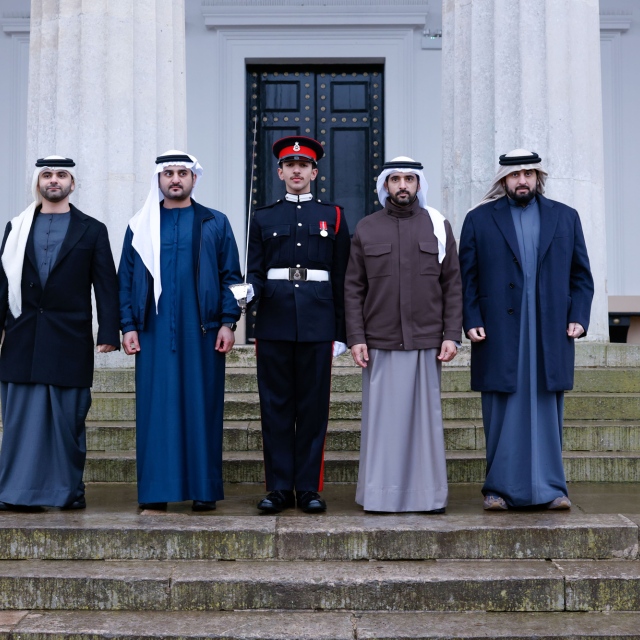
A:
[402,455]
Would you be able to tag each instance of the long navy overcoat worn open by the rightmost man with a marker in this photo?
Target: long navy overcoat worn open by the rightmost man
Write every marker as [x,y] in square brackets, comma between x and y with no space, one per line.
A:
[492,282]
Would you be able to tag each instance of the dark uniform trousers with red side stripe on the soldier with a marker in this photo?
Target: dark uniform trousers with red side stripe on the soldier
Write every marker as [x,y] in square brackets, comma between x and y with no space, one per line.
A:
[294,381]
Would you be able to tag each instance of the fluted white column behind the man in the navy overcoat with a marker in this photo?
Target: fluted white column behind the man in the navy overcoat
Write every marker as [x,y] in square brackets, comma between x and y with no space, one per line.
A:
[526,74]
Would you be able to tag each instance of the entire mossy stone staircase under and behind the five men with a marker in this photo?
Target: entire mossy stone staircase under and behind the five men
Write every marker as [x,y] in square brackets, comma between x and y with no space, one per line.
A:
[111,572]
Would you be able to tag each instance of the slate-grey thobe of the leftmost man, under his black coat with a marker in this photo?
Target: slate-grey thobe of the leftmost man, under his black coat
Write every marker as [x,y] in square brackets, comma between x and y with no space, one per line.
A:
[43,445]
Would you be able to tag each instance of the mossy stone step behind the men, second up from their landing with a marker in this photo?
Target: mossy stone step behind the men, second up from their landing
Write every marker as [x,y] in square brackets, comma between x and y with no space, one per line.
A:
[344,435]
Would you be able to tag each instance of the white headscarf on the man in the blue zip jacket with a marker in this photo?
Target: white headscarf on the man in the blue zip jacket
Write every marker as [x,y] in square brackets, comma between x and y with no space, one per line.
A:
[146,223]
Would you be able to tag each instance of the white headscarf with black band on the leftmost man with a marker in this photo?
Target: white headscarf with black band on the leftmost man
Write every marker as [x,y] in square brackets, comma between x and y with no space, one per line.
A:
[14,248]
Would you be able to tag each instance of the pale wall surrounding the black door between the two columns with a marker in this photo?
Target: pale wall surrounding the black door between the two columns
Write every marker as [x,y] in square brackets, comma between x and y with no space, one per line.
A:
[220,145]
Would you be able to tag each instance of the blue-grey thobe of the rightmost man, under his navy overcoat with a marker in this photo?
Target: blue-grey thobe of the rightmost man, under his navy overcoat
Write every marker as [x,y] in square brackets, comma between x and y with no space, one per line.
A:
[523,430]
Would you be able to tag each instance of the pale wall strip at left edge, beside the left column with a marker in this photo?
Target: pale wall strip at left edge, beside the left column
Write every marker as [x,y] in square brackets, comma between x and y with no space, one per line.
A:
[14,76]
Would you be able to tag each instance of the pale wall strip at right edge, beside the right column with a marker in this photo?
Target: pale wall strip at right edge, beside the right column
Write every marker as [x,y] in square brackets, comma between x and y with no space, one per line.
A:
[621,109]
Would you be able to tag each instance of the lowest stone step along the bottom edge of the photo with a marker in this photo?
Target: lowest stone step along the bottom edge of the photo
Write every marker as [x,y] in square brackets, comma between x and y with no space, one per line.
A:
[316,625]
